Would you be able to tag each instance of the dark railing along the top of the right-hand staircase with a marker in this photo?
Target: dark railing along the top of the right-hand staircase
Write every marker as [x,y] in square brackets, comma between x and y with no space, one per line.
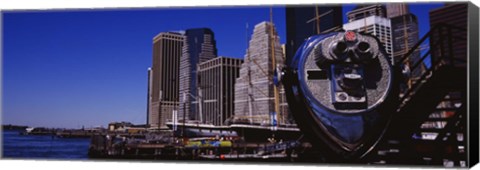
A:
[441,52]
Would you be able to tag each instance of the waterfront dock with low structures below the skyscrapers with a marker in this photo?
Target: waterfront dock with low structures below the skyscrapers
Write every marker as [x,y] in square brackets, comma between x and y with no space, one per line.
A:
[173,148]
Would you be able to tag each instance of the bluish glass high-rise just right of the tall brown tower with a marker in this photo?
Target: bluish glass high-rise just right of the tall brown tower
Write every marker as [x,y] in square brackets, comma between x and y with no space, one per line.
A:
[199,46]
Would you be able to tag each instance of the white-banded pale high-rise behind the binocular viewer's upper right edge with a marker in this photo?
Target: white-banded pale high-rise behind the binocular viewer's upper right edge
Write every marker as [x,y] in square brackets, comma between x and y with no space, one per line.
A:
[371,20]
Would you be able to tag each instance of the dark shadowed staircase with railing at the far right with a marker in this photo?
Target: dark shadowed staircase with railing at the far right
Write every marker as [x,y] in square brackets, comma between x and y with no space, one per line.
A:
[429,125]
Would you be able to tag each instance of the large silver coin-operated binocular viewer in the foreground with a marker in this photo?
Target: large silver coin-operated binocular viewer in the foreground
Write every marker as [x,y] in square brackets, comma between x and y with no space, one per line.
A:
[341,91]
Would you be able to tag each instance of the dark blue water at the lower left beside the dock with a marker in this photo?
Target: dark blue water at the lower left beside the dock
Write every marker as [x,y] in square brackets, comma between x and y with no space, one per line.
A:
[43,147]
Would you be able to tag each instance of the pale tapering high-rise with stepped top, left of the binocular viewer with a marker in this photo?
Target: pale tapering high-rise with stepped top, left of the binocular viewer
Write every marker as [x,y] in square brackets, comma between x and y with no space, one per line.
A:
[255,98]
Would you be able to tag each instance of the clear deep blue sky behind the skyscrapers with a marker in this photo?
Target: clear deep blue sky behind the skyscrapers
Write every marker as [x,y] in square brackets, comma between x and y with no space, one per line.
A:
[88,68]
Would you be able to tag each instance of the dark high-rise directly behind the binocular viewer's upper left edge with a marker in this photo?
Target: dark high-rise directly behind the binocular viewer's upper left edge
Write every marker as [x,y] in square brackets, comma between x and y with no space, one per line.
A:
[305,21]
